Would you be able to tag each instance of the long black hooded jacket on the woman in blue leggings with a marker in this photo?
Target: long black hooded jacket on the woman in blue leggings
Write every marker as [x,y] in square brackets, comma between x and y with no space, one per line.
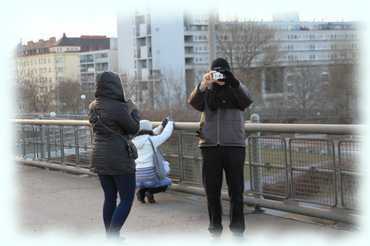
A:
[110,152]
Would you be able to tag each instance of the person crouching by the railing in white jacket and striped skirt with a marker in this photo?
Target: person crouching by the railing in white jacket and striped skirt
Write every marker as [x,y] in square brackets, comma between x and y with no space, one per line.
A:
[150,161]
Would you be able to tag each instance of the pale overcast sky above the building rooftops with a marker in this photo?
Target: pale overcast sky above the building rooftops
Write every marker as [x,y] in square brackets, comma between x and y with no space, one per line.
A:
[41,19]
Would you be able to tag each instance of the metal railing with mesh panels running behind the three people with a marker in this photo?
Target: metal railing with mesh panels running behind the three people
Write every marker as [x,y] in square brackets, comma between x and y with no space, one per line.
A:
[311,167]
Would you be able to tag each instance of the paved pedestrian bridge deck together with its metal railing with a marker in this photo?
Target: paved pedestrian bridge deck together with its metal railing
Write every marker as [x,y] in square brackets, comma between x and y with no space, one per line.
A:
[301,176]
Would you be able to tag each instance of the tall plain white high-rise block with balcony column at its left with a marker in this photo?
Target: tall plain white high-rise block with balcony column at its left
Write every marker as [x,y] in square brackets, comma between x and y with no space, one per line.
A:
[151,53]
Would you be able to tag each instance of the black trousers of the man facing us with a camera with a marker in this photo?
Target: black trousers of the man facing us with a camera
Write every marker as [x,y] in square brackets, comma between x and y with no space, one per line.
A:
[215,161]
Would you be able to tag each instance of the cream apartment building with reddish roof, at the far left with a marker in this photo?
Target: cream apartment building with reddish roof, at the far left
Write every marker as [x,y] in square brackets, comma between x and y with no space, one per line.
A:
[46,63]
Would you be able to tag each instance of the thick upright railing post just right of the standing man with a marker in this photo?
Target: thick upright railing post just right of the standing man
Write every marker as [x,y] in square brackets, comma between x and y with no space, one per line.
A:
[256,162]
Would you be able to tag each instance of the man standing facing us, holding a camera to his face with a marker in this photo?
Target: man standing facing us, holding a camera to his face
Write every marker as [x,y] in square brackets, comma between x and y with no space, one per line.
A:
[222,100]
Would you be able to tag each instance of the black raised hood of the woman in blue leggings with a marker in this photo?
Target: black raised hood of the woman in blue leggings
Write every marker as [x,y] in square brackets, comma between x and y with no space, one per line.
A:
[108,84]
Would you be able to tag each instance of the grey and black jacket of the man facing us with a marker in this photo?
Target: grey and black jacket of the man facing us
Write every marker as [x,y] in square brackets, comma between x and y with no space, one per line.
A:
[222,126]
